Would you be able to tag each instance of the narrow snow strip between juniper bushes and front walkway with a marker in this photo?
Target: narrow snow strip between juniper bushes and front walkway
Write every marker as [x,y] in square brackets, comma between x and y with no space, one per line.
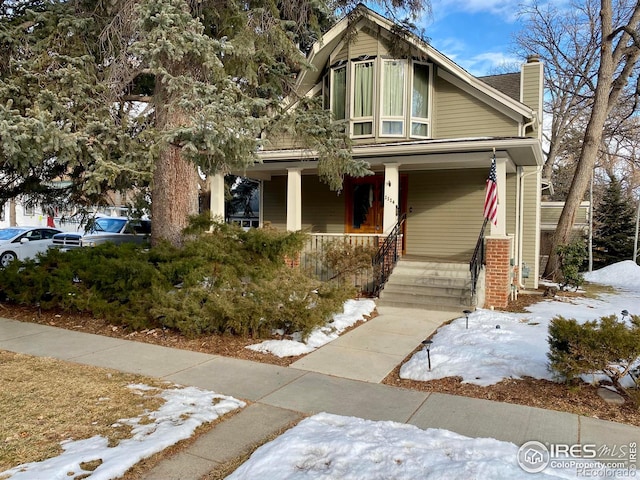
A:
[354,311]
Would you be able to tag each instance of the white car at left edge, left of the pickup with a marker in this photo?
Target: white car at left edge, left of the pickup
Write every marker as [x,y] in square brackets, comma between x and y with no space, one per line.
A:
[24,242]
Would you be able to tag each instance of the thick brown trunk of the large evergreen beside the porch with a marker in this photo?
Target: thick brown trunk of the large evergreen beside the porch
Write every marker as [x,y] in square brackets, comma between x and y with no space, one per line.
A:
[174,195]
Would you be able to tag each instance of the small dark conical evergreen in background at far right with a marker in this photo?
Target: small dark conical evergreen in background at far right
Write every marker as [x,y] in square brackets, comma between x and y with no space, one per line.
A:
[614,227]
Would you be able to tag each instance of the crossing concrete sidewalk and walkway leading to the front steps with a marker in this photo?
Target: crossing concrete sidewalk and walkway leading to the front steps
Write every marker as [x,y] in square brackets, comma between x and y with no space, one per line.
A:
[280,396]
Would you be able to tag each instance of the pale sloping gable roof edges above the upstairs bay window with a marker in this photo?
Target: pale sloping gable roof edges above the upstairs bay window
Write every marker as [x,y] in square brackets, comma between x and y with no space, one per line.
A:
[321,51]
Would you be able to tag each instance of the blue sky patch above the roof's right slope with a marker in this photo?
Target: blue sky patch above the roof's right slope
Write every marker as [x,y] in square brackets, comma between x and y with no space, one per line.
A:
[476,34]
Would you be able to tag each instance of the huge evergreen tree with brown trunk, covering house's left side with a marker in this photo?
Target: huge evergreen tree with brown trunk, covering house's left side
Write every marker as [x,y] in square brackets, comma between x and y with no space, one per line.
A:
[75,77]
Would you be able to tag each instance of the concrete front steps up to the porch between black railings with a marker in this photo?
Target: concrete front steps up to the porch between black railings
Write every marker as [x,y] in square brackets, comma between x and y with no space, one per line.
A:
[428,284]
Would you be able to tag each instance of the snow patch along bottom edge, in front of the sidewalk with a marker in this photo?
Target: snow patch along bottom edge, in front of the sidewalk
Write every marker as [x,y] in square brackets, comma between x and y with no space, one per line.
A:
[328,446]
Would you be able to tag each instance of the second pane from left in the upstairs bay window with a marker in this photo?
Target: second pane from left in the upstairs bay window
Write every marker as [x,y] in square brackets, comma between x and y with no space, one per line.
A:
[363,74]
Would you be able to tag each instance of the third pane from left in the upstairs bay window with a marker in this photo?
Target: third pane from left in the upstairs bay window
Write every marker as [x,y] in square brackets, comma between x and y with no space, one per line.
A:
[392,118]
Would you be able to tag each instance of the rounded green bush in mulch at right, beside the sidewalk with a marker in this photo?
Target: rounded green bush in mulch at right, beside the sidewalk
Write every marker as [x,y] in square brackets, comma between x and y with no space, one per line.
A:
[609,346]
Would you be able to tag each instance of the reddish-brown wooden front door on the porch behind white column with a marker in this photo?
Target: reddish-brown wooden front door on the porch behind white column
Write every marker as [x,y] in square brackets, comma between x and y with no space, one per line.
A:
[365,204]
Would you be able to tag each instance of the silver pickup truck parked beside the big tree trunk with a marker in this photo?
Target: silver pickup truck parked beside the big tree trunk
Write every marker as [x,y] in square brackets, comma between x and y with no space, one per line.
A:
[106,229]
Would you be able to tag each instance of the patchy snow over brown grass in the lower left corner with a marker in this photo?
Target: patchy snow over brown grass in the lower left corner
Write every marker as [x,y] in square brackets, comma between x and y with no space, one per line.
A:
[184,410]
